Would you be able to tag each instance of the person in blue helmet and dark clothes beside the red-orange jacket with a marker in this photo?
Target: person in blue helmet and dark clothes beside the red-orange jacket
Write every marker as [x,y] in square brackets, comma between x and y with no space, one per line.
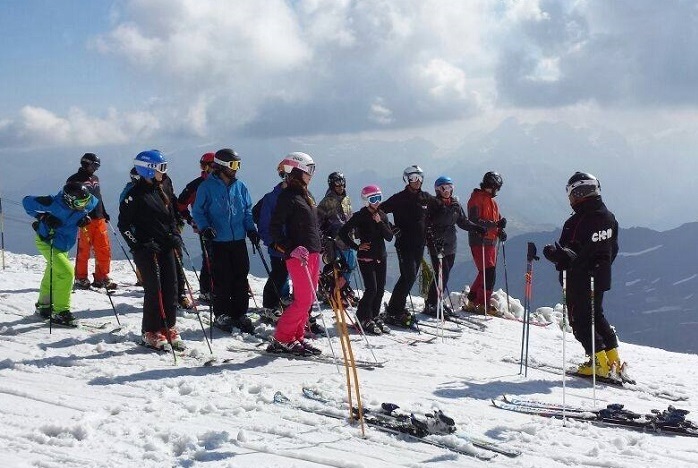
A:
[441,221]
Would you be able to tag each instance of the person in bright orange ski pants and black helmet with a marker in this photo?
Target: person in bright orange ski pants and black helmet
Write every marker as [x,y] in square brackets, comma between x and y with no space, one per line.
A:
[94,235]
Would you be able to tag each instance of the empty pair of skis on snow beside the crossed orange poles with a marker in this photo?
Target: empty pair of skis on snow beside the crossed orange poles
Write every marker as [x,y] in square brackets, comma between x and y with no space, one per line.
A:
[434,429]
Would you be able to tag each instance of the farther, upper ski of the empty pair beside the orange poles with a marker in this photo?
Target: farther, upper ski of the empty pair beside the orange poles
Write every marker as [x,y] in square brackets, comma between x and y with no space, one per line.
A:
[434,424]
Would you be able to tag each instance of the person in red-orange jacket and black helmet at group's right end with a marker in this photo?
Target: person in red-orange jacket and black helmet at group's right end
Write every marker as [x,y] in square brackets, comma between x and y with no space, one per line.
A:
[484,211]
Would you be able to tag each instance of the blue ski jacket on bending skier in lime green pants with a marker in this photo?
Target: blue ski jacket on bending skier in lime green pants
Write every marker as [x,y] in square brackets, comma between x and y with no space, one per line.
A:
[65,235]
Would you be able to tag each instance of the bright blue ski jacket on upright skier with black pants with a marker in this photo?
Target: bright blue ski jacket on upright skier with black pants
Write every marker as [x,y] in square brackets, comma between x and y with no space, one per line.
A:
[226,209]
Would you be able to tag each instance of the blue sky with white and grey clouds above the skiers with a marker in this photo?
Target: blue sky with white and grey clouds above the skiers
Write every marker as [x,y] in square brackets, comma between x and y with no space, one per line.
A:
[533,89]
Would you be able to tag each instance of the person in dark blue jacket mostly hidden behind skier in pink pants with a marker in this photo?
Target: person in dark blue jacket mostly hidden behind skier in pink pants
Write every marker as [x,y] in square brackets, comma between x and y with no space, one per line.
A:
[277,286]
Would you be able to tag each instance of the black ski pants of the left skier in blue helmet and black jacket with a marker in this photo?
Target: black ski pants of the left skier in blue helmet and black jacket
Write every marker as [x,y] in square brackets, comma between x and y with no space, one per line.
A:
[159,278]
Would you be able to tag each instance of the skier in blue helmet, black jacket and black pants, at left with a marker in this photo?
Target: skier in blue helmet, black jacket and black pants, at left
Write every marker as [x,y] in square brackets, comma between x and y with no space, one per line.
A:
[148,223]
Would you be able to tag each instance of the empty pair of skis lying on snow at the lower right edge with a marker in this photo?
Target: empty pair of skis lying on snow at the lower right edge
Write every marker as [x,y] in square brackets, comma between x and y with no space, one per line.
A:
[669,421]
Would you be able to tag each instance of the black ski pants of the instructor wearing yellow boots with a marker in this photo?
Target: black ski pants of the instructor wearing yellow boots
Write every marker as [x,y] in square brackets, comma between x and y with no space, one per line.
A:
[579,305]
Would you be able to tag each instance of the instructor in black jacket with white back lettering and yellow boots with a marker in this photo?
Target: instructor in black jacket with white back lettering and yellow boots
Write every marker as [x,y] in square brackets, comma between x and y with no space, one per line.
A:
[586,249]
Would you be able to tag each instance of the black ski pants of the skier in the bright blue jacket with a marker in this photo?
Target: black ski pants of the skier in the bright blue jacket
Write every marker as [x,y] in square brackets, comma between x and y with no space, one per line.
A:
[230,268]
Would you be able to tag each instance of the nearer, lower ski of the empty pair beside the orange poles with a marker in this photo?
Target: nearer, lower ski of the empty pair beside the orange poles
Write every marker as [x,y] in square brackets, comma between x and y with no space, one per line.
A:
[405,431]
